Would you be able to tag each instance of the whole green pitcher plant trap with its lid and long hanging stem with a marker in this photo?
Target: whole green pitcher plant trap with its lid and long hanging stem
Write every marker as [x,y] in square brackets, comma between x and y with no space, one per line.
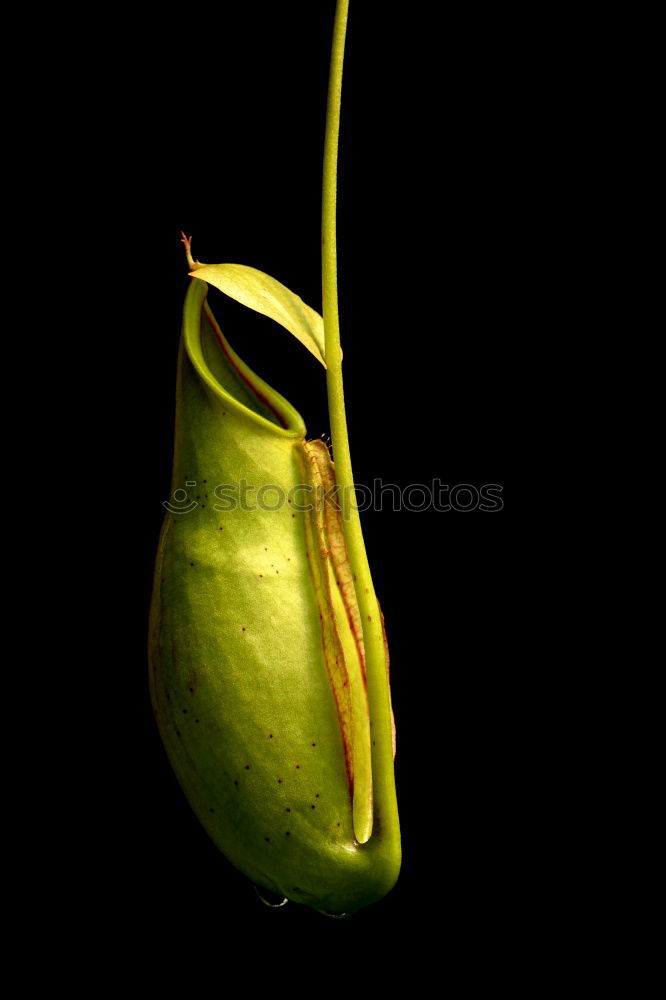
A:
[268,658]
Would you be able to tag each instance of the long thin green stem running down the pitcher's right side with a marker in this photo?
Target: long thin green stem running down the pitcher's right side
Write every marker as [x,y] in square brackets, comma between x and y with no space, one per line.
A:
[373,638]
